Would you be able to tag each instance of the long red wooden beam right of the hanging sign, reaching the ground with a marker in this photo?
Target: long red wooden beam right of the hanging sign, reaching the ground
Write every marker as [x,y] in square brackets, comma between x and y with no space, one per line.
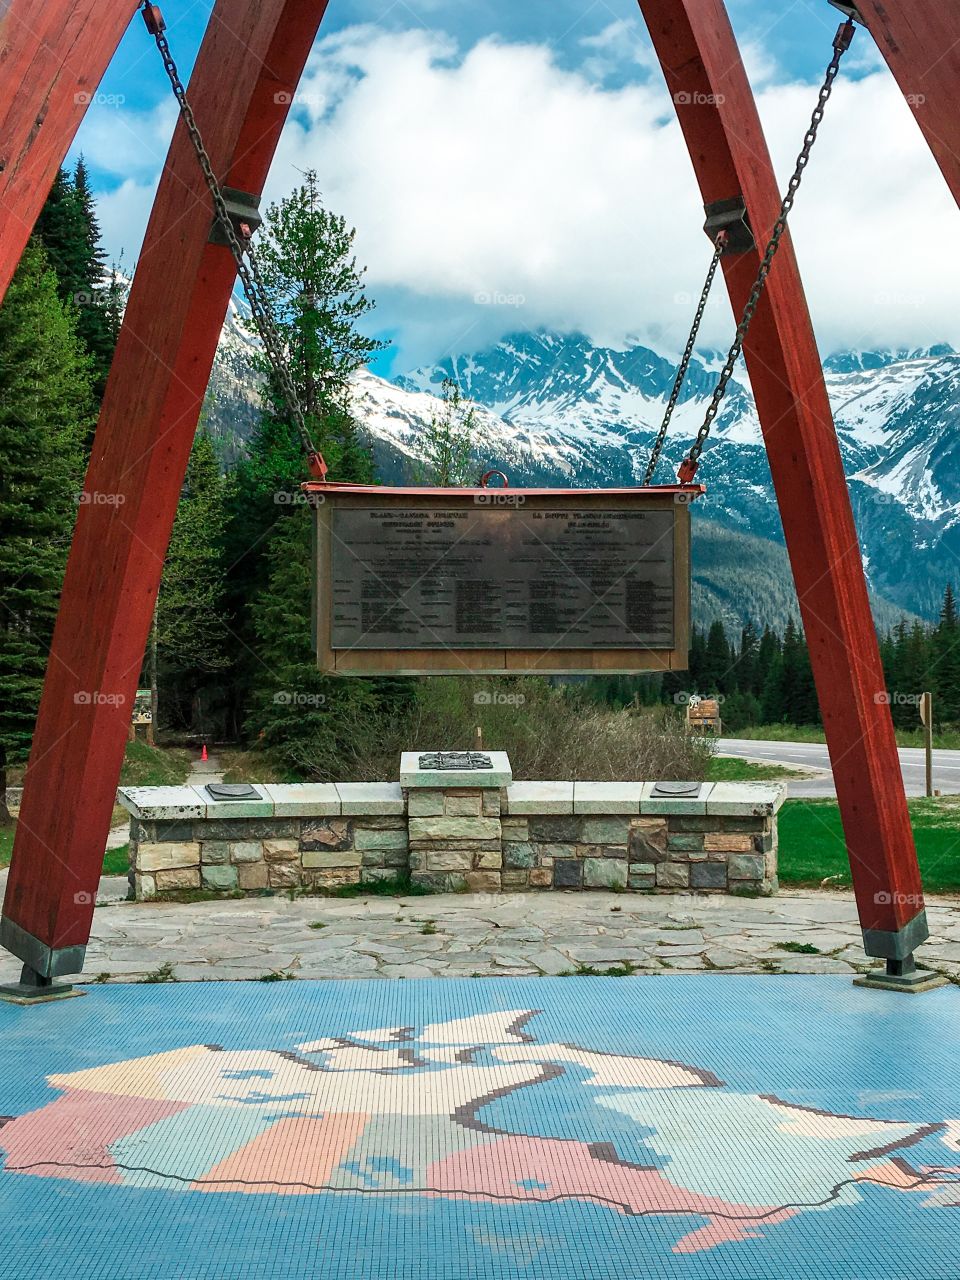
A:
[720,122]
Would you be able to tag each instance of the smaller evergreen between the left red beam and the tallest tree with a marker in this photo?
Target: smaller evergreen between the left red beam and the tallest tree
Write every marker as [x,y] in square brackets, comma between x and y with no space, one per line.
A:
[193,633]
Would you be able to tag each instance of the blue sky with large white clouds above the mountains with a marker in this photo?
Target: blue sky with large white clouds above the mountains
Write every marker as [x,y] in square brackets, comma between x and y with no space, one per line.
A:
[511,166]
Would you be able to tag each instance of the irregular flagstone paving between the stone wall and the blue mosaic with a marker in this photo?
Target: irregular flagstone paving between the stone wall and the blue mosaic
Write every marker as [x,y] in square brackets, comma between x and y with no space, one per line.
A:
[486,935]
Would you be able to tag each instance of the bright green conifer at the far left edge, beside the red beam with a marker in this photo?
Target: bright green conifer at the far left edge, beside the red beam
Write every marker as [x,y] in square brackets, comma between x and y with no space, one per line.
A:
[45,412]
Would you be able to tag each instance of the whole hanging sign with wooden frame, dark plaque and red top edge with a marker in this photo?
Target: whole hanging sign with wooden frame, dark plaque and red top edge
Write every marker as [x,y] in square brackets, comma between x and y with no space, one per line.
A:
[455,582]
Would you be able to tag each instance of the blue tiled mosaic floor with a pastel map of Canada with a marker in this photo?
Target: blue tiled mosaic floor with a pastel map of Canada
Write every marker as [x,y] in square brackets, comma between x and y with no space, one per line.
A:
[685,1127]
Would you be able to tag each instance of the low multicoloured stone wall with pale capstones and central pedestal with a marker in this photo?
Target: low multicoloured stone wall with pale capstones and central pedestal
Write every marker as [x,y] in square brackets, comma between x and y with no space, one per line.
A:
[451,833]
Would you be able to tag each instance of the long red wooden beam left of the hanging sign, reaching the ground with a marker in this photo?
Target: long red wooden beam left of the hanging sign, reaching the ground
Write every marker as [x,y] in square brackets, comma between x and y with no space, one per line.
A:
[245,77]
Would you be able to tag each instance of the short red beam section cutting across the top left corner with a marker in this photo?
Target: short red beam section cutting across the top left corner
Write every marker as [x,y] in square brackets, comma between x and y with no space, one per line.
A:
[53,57]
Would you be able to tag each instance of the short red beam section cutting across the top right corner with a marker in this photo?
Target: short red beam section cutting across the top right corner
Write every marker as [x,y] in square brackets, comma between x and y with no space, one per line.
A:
[921,42]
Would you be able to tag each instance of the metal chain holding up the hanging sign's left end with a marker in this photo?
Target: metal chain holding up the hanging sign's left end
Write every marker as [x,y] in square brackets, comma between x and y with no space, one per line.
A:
[243,250]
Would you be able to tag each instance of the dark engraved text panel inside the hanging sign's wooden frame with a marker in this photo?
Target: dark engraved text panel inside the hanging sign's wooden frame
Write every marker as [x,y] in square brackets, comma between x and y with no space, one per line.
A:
[502,578]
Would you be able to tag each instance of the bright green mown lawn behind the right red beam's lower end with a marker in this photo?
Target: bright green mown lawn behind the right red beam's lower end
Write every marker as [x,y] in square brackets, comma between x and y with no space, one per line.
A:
[812,844]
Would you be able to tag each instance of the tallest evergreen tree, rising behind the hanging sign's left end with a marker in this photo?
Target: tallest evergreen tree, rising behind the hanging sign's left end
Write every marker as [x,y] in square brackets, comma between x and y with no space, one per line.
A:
[318,299]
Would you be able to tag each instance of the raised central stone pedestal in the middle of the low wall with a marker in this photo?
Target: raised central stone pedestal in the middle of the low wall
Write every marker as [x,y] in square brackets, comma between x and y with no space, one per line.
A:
[454,822]
